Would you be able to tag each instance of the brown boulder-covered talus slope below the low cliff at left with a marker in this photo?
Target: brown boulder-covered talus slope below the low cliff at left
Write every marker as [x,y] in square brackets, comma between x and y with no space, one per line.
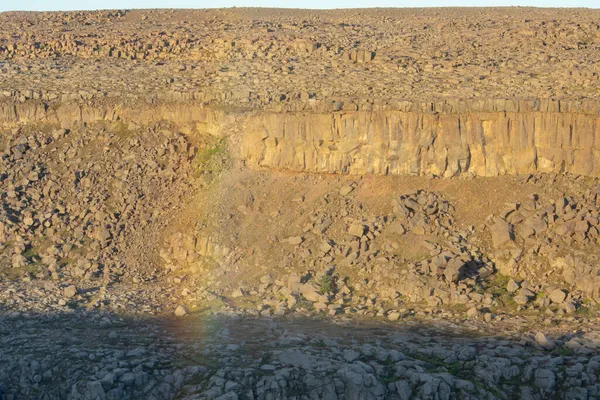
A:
[87,203]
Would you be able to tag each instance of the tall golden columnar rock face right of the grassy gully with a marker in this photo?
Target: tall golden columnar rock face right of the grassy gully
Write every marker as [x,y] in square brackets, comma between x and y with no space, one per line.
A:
[442,143]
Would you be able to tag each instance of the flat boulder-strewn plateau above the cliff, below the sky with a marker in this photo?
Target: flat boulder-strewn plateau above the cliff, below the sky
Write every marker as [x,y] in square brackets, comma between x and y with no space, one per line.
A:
[270,58]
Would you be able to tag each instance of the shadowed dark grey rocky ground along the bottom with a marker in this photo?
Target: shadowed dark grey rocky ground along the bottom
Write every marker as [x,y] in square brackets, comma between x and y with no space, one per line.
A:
[101,355]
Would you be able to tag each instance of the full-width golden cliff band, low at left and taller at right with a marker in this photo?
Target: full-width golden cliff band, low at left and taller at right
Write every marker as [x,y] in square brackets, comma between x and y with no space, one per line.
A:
[485,138]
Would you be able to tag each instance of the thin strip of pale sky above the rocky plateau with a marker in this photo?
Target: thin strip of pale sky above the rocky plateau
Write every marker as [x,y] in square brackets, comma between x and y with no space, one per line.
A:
[48,5]
